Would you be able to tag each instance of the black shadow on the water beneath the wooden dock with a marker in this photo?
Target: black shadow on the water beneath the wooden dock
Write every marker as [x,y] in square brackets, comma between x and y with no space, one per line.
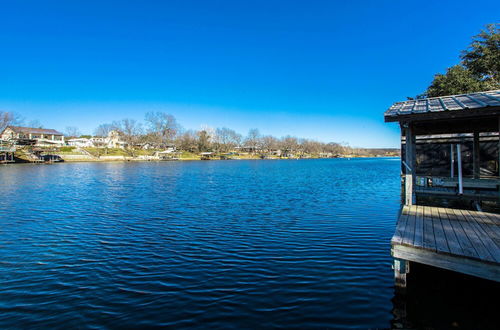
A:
[441,299]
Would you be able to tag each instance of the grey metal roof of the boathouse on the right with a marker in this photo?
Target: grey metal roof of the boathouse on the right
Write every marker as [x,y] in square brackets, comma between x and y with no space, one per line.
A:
[442,104]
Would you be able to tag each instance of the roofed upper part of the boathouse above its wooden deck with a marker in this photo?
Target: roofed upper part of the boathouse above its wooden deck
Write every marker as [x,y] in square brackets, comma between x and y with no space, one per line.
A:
[450,150]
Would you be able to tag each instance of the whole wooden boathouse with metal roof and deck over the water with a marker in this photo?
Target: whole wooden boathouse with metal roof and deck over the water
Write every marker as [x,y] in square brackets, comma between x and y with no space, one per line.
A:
[450,156]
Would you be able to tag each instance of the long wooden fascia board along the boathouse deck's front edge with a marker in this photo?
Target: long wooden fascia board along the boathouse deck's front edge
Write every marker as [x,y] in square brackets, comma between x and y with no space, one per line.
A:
[478,268]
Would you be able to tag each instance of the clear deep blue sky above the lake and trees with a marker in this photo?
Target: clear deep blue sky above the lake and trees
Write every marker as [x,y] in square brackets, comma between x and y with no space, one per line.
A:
[319,69]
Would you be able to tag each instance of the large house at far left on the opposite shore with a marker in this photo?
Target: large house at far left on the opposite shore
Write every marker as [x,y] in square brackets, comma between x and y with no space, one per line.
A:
[40,136]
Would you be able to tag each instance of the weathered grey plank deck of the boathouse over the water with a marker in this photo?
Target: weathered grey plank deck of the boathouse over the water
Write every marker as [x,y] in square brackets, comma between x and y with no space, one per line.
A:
[458,240]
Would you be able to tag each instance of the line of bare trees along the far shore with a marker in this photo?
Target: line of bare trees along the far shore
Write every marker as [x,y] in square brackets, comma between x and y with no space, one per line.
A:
[160,130]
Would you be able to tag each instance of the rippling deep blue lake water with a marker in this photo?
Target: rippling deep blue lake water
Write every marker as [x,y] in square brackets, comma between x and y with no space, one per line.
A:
[241,244]
